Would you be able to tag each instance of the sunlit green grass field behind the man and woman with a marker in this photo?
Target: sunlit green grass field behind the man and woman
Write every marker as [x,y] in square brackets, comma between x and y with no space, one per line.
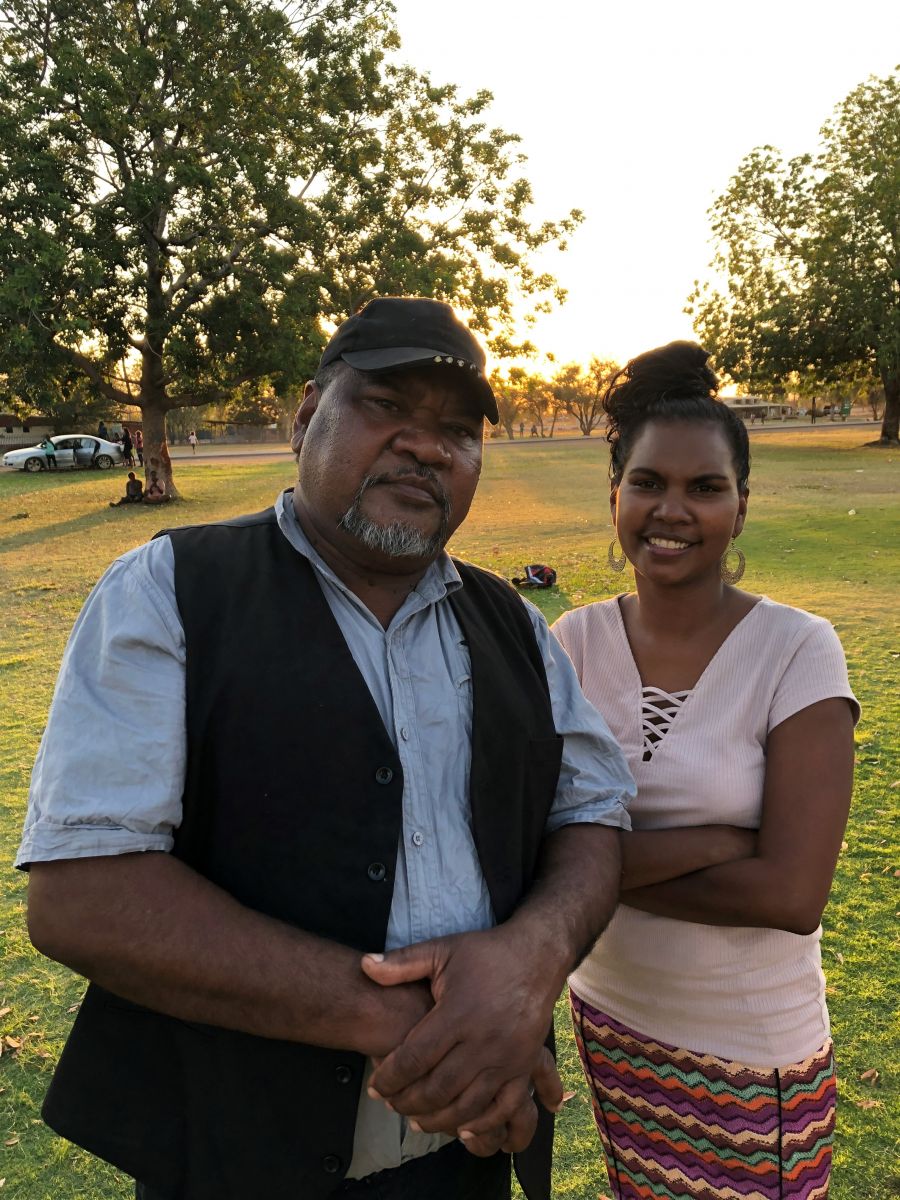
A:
[537,503]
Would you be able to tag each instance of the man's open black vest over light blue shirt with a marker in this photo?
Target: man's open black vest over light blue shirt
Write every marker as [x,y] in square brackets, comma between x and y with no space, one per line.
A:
[293,806]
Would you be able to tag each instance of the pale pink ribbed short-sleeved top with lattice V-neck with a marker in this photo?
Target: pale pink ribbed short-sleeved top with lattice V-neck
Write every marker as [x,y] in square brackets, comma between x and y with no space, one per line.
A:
[752,995]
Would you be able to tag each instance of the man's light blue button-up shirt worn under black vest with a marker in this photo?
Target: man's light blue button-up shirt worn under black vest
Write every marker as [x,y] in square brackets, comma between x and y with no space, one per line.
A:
[110,773]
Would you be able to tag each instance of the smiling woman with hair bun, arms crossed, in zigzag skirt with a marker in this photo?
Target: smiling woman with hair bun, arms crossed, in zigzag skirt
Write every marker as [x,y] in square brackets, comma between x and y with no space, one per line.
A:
[700,1016]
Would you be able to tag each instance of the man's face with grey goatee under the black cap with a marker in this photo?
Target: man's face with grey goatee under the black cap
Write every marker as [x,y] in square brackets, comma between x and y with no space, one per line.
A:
[389,463]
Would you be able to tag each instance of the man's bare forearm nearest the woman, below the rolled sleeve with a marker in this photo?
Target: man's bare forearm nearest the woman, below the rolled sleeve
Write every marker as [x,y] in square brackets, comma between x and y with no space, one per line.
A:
[574,896]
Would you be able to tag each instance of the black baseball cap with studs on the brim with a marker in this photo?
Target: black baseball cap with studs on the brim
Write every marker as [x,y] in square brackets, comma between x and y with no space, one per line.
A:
[406,332]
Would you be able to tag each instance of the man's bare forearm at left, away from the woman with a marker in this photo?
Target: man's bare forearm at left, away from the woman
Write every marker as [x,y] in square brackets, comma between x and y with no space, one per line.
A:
[151,929]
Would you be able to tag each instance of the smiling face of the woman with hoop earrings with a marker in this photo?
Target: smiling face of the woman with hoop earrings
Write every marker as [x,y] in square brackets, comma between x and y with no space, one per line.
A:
[677,506]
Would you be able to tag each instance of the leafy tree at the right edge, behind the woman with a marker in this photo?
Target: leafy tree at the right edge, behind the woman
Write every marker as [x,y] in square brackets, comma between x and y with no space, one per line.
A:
[809,251]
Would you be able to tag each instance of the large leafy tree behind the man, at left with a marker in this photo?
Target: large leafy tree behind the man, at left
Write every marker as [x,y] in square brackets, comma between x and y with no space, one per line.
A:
[195,189]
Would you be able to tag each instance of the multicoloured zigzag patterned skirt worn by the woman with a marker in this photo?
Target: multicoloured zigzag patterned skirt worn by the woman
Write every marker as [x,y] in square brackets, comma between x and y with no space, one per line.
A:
[685,1126]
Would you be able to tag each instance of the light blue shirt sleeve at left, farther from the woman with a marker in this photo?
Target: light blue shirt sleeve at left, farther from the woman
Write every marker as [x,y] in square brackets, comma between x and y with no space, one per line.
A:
[110,772]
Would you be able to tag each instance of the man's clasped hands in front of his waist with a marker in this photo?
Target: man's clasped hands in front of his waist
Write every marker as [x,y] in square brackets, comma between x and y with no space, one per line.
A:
[460,1047]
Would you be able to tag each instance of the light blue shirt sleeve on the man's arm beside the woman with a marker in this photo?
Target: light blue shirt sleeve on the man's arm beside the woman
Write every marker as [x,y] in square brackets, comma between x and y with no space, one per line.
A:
[596,784]
